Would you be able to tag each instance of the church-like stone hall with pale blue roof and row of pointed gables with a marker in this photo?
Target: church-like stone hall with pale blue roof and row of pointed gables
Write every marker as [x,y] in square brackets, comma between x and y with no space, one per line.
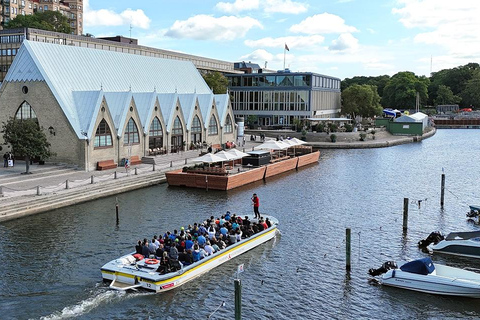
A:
[102,105]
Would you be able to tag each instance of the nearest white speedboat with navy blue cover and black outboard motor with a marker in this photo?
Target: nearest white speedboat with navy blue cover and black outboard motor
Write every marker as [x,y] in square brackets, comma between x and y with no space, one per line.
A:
[423,276]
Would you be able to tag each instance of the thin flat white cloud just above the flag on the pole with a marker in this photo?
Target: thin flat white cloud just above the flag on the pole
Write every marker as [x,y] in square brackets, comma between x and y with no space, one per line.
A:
[301,42]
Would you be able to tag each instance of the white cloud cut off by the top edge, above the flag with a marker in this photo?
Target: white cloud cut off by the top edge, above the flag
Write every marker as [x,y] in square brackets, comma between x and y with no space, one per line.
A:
[269,6]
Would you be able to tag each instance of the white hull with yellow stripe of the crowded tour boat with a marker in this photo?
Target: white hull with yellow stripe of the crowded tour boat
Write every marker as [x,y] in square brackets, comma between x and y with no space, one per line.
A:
[125,273]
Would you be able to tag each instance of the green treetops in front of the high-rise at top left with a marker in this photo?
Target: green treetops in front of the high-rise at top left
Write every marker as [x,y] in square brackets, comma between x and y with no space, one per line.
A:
[47,20]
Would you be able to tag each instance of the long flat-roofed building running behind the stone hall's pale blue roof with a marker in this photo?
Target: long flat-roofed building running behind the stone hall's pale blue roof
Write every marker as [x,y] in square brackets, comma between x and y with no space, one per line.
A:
[11,40]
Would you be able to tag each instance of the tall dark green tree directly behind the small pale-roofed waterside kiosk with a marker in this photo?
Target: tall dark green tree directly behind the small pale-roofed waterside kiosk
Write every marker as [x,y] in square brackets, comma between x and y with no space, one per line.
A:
[401,90]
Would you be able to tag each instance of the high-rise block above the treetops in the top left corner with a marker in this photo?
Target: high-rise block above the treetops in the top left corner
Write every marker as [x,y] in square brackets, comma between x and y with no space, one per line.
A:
[72,9]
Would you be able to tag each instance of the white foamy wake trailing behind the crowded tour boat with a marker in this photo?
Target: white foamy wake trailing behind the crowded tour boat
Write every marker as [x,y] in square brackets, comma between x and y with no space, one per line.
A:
[99,297]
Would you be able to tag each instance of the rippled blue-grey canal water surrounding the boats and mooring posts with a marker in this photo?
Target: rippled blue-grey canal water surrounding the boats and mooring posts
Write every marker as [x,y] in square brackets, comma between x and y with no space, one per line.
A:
[50,263]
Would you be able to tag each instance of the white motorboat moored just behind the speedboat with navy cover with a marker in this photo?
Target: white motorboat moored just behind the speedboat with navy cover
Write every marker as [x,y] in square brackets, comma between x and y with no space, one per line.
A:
[465,244]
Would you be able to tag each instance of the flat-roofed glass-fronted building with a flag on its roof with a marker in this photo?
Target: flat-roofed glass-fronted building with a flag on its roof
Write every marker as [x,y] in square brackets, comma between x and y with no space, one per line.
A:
[279,98]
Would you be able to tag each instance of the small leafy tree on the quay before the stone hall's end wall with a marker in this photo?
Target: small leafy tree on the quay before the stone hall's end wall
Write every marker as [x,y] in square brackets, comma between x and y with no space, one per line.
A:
[27,139]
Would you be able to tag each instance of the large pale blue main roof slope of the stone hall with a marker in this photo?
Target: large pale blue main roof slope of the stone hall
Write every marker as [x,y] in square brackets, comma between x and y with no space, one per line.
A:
[93,70]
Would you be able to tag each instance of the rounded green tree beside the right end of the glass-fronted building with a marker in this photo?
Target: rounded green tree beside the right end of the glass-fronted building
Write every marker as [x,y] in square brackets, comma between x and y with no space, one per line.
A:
[362,100]
